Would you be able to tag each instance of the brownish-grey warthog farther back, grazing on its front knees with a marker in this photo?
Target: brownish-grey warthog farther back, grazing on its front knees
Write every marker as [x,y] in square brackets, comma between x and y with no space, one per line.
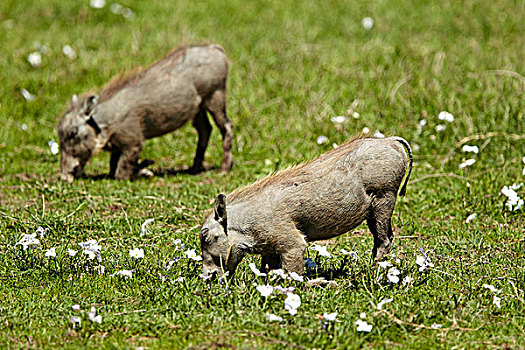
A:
[147,103]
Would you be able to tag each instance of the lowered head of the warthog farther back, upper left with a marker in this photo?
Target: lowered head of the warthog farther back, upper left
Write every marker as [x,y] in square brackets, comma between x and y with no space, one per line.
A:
[77,132]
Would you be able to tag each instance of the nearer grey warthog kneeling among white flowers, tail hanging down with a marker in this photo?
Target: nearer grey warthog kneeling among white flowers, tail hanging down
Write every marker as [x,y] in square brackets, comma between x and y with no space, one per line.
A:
[321,199]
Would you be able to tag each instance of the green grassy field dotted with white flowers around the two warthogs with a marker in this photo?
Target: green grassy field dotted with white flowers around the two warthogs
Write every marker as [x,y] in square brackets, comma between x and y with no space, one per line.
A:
[293,66]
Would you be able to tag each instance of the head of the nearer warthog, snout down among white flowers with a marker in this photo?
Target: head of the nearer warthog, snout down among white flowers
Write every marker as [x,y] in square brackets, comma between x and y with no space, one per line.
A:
[222,248]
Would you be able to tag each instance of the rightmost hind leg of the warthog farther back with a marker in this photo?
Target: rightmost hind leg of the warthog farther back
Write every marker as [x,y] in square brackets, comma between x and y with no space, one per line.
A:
[217,107]
